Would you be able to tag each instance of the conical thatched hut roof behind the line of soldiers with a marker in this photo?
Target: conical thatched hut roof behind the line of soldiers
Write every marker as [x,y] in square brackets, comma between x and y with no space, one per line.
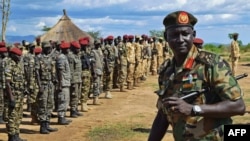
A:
[65,30]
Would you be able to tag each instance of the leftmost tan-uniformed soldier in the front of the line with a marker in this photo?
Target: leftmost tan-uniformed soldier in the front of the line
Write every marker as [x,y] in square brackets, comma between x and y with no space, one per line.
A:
[122,62]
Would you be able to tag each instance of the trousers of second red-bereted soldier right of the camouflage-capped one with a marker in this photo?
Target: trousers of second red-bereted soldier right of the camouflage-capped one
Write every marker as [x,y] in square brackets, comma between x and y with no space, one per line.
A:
[75,92]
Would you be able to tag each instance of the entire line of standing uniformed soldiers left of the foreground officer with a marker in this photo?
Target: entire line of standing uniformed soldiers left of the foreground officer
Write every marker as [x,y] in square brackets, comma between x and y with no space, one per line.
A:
[61,75]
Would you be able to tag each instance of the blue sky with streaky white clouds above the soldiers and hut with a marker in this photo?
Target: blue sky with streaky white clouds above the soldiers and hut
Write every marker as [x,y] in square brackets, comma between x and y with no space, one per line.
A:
[216,18]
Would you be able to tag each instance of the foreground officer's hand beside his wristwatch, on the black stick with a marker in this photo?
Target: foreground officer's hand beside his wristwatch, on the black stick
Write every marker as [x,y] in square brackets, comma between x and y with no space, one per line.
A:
[178,105]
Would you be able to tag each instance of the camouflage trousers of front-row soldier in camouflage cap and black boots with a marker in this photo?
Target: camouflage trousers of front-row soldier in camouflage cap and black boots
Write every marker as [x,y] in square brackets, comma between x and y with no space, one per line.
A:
[45,101]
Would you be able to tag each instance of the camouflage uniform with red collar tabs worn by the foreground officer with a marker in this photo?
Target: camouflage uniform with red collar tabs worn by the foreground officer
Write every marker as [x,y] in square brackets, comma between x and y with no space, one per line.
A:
[200,70]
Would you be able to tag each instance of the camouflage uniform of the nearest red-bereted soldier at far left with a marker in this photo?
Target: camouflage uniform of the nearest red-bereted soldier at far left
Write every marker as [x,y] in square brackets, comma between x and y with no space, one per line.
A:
[14,72]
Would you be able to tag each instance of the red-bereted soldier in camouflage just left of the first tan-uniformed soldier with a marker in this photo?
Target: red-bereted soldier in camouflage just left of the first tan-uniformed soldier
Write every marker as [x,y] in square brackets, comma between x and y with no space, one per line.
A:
[109,59]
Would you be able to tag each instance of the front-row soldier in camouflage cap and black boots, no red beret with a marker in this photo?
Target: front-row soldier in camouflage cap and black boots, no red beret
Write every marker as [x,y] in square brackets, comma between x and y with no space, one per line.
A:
[45,75]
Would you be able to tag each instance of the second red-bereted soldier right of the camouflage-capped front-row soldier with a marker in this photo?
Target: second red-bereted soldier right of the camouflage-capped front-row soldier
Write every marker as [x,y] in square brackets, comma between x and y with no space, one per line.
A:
[76,75]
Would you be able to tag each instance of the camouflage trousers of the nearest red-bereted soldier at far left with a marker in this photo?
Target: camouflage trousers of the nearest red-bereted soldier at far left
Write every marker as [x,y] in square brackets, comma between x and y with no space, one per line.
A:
[15,114]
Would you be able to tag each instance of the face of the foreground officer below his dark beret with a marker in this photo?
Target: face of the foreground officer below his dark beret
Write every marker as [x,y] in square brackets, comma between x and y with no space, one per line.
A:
[180,39]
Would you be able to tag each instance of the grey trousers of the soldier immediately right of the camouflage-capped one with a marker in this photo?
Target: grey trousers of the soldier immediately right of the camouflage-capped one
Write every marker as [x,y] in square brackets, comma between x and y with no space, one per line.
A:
[63,101]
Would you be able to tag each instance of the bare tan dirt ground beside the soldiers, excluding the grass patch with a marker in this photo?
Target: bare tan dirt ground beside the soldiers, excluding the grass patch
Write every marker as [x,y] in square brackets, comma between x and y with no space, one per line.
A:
[124,107]
